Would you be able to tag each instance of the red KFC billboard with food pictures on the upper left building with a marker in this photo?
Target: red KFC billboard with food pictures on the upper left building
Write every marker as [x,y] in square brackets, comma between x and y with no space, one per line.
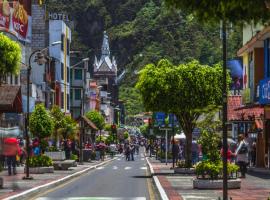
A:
[15,18]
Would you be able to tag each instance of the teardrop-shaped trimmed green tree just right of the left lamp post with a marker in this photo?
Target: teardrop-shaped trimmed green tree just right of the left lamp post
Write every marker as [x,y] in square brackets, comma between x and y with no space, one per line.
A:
[41,123]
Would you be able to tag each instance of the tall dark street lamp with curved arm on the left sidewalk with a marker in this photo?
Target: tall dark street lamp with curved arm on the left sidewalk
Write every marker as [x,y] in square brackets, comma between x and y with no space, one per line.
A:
[40,60]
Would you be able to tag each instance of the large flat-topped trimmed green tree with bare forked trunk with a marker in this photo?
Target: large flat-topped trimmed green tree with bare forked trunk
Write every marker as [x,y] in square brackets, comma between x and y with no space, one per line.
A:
[183,90]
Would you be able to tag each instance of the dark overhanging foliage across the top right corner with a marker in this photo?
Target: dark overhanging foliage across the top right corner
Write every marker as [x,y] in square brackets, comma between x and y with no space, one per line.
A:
[230,10]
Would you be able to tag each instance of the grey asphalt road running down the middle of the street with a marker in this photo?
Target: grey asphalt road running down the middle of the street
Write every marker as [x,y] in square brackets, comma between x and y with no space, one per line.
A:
[120,179]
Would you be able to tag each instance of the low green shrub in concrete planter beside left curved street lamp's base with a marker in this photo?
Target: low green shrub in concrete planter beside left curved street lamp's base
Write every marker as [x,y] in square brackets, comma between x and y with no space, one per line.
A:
[40,164]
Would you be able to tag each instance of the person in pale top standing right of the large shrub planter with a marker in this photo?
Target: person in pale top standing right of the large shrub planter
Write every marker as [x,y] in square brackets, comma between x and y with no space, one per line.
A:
[242,155]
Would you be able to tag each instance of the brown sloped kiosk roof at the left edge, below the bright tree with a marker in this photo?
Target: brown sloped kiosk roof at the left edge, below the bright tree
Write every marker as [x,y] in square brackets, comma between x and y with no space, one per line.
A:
[10,98]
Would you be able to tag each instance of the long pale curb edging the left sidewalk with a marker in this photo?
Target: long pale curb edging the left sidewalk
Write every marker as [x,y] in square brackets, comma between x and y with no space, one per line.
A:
[34,191]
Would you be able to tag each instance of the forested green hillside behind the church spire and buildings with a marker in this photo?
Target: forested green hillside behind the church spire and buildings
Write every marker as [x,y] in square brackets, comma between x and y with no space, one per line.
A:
[143,31]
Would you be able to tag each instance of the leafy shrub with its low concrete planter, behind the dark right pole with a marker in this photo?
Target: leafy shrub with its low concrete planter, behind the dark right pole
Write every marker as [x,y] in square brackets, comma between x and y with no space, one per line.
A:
[209,172]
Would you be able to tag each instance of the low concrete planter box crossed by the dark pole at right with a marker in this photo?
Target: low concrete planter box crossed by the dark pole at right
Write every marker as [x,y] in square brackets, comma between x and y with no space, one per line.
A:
[216,184]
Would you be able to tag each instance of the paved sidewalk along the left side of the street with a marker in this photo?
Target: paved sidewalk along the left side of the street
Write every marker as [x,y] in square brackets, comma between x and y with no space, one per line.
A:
[14,185]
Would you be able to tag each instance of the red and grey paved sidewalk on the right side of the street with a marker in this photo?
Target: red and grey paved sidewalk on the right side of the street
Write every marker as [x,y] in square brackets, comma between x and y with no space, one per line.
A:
[256,186]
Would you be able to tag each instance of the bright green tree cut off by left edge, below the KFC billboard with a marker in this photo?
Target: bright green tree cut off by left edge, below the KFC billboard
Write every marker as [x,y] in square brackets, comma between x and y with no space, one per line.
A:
[10,56]
